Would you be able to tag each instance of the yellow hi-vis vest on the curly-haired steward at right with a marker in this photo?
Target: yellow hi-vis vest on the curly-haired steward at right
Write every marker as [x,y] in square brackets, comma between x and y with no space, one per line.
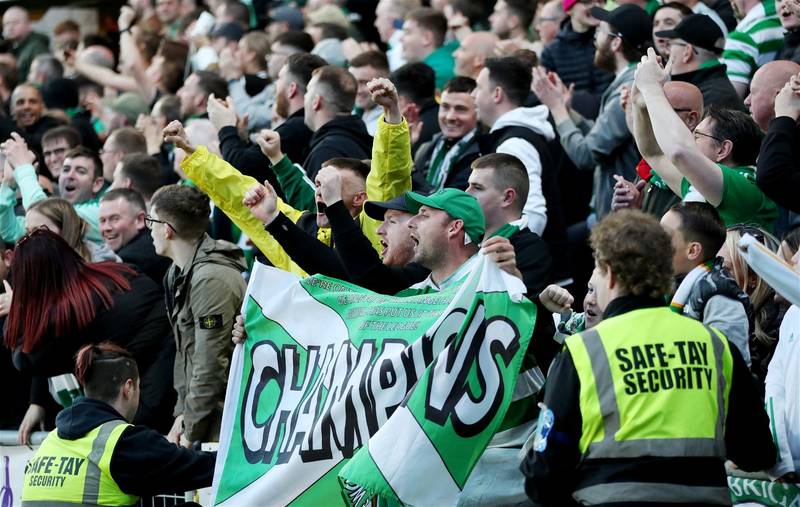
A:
[652,383]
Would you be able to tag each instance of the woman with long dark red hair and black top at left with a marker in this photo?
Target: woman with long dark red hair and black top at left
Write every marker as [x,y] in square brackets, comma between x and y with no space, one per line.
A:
[61,303]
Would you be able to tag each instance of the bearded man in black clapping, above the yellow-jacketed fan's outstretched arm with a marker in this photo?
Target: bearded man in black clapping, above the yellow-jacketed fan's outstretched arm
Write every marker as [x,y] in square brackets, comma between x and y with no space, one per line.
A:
[290,89]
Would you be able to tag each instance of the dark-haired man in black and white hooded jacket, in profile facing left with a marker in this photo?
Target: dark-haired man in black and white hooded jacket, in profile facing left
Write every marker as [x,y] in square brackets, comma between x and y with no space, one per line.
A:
[502,87]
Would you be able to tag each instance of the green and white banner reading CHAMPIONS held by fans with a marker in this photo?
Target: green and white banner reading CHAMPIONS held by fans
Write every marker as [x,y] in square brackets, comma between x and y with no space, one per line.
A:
[340,395]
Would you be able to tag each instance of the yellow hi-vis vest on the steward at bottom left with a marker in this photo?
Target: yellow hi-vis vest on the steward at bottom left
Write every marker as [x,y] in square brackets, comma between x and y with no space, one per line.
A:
[76,472]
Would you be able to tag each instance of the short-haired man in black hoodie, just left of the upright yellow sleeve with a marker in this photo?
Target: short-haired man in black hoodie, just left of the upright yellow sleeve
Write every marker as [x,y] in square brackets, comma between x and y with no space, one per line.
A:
[328,105]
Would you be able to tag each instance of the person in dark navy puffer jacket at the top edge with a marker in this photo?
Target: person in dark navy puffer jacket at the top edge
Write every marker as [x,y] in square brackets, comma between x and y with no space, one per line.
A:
[571,56]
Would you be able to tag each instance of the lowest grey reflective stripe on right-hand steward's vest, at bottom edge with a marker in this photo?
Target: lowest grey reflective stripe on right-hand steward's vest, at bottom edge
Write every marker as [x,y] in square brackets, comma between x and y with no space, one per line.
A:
[646,492]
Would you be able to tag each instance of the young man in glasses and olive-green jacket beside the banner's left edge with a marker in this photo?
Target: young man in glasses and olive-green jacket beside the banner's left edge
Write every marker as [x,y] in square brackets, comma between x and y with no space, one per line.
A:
[204,290]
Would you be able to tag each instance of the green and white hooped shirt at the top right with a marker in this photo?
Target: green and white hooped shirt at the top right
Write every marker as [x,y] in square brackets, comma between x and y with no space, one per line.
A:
[756,40]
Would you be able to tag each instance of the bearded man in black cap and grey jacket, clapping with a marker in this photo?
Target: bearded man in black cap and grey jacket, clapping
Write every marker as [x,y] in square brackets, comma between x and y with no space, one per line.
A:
[605,145]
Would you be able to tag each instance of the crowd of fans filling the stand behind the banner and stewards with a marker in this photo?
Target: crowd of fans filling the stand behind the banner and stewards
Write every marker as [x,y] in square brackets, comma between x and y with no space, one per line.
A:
[132,205]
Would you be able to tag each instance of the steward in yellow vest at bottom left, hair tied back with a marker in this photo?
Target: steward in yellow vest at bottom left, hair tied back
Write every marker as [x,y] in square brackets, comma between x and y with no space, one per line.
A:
[95,457]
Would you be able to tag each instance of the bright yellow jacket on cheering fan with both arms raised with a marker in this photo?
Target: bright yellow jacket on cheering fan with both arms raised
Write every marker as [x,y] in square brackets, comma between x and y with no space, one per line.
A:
[389,177]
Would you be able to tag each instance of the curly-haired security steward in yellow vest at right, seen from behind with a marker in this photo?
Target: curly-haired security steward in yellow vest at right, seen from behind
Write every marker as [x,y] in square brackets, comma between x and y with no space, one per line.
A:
[644,408]
